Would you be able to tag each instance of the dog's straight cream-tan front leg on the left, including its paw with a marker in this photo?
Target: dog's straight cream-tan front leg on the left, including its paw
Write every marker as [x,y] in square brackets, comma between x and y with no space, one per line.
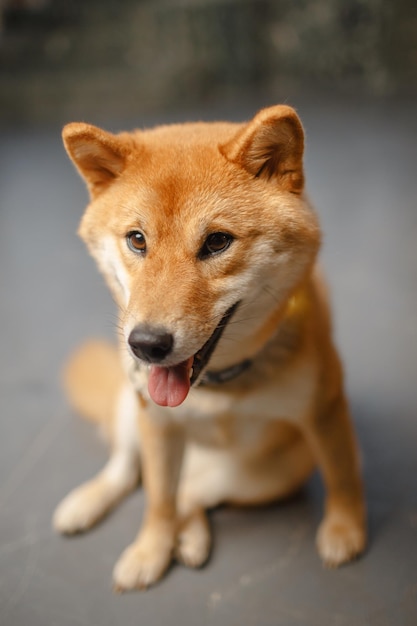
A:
[146,560]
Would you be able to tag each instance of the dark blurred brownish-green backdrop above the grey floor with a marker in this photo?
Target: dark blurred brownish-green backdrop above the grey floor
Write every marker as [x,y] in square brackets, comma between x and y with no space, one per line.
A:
[112,58]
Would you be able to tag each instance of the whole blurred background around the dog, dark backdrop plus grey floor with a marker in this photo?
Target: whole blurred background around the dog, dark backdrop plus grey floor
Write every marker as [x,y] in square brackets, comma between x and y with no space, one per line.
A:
[349,67]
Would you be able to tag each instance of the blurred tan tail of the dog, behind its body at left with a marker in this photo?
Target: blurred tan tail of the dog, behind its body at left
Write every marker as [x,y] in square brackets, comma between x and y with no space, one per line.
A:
[93,378]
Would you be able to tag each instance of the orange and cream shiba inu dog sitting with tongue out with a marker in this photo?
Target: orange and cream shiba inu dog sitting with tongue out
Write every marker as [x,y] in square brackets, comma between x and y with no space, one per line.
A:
[226,387]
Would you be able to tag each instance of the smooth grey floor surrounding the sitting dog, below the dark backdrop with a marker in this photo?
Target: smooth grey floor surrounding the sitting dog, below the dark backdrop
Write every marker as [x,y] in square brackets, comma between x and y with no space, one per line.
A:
[361,172]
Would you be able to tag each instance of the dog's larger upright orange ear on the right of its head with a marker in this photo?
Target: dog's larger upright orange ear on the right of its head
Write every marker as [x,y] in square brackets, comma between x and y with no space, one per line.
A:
[271,145]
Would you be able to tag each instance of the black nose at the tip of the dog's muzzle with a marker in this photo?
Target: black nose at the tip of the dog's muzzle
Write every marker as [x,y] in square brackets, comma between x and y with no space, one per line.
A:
[150,344]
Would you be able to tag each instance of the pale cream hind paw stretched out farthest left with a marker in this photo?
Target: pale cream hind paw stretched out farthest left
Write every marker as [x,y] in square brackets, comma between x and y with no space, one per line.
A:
[79,510]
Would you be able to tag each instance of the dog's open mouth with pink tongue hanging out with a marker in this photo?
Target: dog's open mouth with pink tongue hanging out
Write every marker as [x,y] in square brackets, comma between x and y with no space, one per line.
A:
[169,386]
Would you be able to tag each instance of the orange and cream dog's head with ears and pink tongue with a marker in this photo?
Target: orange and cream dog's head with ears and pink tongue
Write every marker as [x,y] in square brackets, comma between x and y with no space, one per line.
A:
[197,227]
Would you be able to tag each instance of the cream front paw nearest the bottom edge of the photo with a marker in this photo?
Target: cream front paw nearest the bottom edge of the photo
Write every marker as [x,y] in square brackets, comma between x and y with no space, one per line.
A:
[140,567]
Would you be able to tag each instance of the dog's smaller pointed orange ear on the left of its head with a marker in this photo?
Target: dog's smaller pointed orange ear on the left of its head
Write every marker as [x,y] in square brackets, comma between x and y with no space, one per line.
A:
[99,156]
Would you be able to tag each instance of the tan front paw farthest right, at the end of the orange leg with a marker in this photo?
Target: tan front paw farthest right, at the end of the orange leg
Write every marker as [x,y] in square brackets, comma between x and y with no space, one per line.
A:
[340,540]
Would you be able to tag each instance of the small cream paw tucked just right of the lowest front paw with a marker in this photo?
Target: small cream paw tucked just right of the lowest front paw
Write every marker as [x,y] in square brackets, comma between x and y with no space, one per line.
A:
[194,541]
